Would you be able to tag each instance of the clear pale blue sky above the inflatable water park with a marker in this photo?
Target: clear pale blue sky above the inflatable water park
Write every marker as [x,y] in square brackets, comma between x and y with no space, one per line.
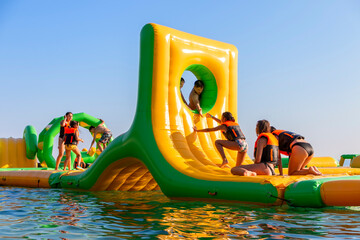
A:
[299,62]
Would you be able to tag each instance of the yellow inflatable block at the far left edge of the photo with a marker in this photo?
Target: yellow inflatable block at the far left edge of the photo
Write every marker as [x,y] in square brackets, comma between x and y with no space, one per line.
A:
[13,154]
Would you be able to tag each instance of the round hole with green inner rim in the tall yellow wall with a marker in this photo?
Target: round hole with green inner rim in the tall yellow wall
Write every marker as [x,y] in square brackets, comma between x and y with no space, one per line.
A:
[208,96]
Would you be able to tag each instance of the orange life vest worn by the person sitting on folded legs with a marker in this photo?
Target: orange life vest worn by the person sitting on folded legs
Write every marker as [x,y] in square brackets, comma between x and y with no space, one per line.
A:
[270,152]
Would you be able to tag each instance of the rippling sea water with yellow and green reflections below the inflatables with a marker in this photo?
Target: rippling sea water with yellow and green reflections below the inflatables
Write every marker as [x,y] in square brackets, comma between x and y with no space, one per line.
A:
[65,214]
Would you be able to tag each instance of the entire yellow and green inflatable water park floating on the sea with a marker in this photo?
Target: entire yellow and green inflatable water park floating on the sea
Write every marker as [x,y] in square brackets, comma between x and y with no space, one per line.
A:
[161,151]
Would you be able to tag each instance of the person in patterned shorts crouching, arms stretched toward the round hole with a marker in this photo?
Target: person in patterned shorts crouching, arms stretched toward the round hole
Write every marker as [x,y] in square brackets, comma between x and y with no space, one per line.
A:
[234,135]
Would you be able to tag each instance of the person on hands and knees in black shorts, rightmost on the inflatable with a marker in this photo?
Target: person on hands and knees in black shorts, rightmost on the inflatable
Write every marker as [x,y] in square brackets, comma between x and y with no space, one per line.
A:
[300,152]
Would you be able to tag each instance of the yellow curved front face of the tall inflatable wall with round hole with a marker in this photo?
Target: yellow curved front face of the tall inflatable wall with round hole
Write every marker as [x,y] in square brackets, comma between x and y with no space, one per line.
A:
[192,154]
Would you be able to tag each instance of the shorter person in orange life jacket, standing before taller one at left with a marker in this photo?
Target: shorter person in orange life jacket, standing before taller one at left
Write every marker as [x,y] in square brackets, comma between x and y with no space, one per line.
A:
[71,140]
